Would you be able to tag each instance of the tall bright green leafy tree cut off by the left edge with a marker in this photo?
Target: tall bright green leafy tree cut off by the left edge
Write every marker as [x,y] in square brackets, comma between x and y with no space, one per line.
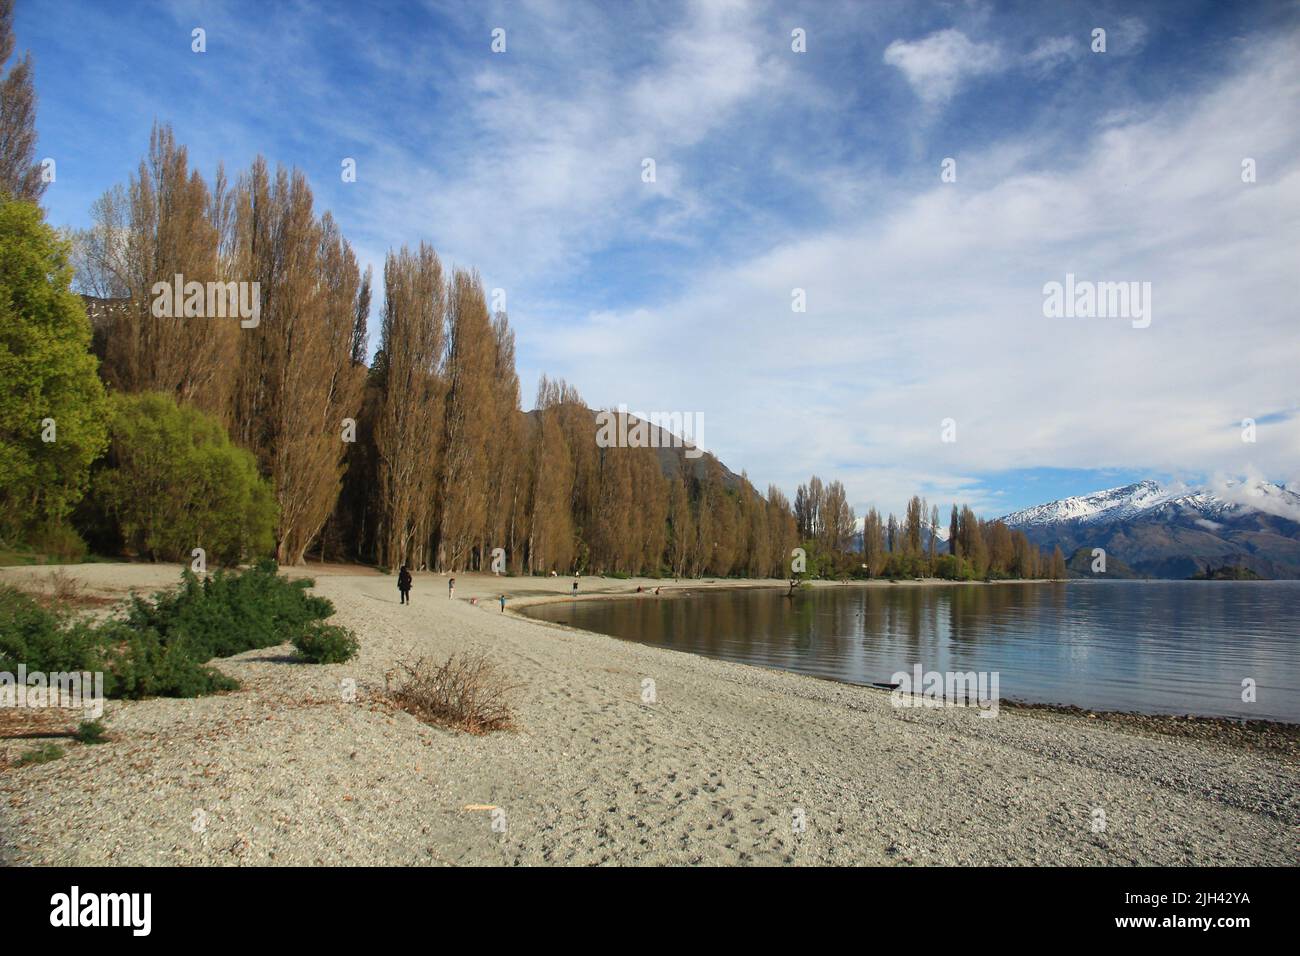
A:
[53,408]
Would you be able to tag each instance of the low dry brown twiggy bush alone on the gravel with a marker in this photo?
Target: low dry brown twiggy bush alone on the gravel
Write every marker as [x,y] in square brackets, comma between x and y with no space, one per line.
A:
[466,693]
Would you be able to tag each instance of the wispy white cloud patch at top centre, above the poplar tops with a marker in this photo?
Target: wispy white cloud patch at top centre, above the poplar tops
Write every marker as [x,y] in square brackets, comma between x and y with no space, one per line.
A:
[554,171]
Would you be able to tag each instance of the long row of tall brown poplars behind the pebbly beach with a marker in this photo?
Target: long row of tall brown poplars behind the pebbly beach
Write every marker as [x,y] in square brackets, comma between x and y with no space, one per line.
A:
[422,457]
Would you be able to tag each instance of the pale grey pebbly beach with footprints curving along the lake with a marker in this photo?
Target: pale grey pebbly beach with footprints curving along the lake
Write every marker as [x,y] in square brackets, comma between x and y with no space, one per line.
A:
[716,772]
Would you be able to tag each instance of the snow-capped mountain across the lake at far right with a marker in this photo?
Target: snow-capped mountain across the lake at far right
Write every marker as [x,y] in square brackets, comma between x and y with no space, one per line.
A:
[1162,531]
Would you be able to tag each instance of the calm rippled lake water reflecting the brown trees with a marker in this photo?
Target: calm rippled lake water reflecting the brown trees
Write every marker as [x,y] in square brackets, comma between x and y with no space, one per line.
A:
[1154,647]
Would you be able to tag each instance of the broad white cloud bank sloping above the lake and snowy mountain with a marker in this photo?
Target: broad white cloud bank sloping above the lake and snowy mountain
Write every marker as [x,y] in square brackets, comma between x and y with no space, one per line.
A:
[934,310]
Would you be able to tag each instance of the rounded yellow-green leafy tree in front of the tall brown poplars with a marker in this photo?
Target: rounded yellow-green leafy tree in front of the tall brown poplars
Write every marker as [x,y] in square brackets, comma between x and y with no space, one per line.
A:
[174,482]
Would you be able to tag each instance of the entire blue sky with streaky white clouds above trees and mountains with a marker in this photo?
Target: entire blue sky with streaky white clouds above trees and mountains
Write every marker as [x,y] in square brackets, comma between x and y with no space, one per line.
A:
[781,171]
